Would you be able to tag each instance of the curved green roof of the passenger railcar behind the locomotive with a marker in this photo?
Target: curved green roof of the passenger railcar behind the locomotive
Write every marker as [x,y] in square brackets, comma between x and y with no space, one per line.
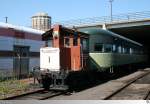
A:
[98,31]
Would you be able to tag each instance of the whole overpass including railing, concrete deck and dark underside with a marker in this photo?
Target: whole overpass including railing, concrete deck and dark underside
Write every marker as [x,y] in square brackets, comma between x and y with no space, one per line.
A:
[135,26]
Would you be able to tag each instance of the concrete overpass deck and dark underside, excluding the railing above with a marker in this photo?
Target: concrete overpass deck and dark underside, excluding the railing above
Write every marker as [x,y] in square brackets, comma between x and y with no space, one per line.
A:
[138,30]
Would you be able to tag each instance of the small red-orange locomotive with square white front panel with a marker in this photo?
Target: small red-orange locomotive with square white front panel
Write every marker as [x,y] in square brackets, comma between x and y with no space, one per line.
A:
[63,53]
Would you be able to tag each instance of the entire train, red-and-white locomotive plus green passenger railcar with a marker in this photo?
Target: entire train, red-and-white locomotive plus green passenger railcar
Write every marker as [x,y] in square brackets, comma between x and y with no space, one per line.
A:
[69,53]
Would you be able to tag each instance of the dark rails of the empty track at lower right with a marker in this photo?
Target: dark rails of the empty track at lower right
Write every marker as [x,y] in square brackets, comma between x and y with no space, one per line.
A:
[128,84]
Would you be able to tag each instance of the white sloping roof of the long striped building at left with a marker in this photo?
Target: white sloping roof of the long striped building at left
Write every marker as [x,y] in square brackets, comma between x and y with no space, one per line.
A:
[20,28]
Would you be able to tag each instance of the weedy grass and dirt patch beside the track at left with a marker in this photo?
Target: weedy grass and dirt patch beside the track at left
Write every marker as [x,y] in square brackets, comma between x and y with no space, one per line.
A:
[11,85]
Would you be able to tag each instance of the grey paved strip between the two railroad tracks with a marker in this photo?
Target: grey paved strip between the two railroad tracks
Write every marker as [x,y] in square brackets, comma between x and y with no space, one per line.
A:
[101,91]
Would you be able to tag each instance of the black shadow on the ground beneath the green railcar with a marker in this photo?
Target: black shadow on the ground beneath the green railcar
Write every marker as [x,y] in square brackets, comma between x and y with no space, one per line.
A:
[82,80]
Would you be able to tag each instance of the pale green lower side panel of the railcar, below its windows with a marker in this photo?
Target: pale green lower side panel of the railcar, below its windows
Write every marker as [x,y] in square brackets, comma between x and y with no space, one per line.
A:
[107,60]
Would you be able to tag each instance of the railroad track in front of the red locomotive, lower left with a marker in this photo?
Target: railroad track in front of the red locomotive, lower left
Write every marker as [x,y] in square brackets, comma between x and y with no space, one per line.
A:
[36,95]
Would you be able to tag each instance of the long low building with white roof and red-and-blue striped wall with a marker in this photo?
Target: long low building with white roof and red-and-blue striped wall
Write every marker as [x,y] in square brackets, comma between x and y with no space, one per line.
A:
[19,48]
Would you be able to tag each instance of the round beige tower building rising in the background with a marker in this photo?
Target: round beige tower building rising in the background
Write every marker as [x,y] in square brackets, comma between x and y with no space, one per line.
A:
[41,21]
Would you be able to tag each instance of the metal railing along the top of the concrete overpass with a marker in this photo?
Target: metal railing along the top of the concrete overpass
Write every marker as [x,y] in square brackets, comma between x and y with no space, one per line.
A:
[106,19]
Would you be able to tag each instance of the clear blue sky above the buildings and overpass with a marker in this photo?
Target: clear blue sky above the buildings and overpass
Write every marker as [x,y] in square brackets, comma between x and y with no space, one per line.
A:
[19,12]
